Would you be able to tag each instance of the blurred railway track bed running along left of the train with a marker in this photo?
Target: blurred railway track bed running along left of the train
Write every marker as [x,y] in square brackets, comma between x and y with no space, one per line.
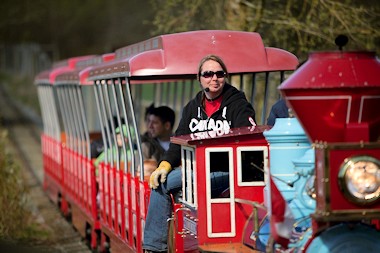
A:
[24,134]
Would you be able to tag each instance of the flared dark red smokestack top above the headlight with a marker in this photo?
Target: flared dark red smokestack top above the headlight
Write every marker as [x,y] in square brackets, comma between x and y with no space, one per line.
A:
[336,96]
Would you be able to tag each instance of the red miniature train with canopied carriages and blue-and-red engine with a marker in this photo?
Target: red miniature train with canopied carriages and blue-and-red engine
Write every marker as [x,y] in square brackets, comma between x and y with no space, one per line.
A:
[310,183]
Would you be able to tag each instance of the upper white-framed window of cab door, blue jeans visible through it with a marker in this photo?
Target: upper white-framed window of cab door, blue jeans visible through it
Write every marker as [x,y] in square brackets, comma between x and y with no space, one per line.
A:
[219,170]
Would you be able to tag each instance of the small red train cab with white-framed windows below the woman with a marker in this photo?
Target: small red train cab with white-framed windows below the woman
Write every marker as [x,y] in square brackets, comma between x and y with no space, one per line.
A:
[243,154]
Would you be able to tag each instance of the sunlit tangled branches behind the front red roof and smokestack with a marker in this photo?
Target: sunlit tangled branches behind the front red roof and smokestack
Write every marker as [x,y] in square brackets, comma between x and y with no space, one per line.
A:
[296,26]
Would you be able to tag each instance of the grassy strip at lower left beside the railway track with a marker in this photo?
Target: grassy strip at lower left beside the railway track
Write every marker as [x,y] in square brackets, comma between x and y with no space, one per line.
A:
[17,222]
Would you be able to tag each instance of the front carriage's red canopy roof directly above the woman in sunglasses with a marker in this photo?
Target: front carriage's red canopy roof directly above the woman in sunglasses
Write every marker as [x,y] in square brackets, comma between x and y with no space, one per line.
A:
[180,53]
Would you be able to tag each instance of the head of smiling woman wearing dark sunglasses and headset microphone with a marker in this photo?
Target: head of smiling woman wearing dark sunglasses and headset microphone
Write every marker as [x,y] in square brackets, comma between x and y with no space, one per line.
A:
[212,74]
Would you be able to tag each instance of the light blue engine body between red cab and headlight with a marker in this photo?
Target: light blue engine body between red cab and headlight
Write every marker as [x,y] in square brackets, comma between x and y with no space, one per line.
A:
[292,169]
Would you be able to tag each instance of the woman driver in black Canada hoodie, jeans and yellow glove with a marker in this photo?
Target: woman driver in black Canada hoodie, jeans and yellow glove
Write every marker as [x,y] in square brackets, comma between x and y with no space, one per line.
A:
[218,105]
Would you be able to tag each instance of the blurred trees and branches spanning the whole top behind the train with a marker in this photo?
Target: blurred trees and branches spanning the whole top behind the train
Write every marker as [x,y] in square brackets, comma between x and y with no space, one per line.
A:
[97,26]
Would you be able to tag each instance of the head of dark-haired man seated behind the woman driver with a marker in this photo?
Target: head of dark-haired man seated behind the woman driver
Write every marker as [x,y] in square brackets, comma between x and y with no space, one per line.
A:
[161,122]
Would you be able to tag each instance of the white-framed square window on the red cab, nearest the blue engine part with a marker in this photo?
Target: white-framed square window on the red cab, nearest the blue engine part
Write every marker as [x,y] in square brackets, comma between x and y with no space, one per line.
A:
[252,162]
